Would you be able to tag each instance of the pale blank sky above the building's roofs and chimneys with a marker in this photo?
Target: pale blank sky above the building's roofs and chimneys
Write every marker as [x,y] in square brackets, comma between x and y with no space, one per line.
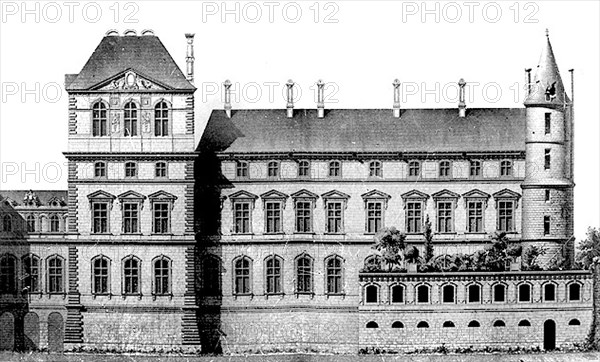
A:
[357,47]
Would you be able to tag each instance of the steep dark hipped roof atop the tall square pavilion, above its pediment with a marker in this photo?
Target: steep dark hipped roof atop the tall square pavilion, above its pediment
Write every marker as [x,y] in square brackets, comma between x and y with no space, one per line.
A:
[144,54]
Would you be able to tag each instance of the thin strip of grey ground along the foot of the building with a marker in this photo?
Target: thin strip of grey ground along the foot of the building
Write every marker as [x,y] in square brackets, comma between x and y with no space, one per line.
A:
[43,357]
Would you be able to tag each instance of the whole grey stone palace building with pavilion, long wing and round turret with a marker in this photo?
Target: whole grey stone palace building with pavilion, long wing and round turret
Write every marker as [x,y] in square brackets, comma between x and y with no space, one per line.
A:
[258,238]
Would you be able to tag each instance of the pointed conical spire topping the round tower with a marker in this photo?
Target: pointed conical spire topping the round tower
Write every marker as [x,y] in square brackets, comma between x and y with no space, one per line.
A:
[547,88]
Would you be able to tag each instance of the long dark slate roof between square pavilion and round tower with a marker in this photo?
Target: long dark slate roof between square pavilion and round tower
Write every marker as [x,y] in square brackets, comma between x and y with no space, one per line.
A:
[366,130]
